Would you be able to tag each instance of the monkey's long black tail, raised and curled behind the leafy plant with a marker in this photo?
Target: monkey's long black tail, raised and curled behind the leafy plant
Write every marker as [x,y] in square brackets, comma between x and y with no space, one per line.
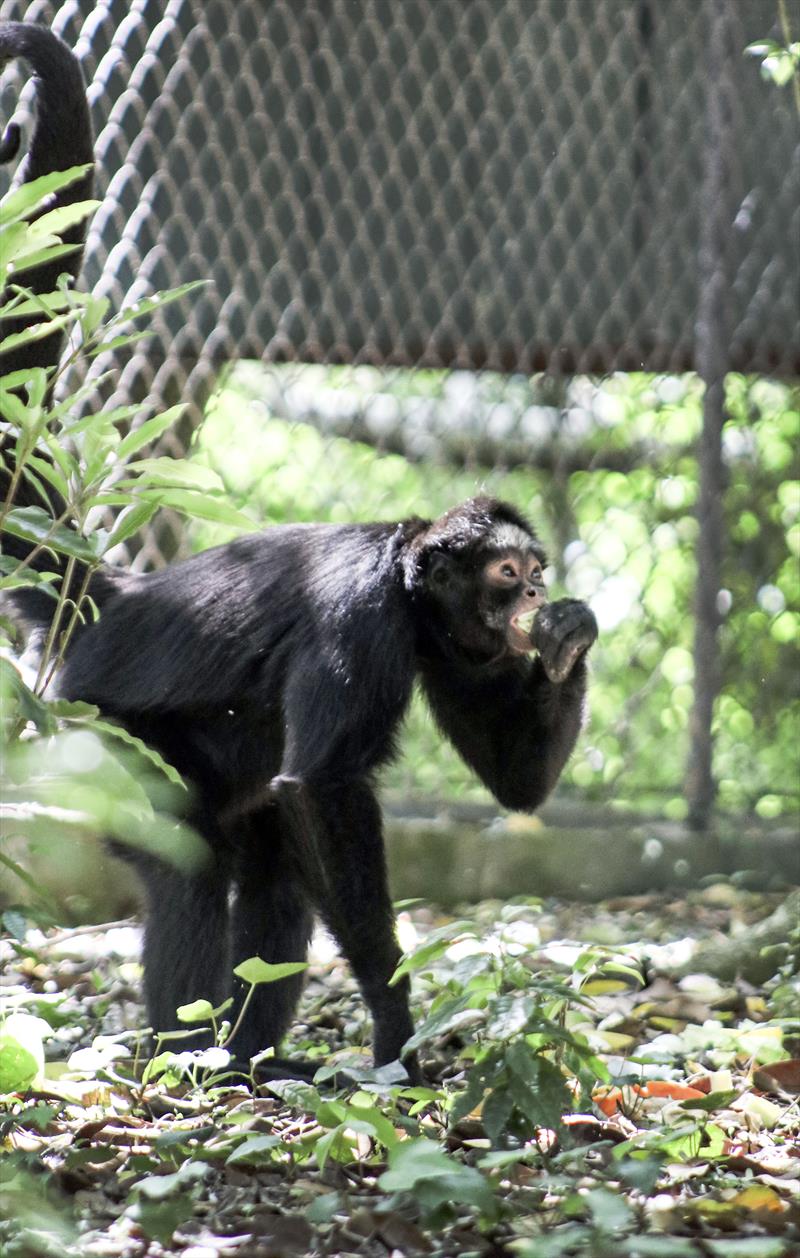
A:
[62,139]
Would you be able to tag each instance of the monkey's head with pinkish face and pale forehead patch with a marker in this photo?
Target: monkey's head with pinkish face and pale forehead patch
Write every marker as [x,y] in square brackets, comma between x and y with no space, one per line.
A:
[480,572]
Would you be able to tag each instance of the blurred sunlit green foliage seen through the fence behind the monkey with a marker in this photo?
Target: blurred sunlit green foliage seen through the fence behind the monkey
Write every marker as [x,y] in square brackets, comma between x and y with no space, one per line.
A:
[627,542]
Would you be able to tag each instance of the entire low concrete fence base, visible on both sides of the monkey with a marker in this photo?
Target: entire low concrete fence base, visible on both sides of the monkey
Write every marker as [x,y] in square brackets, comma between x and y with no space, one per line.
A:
[461,854]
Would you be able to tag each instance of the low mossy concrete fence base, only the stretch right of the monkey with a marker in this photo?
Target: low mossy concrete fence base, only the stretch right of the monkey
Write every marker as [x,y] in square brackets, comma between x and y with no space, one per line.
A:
[448,859]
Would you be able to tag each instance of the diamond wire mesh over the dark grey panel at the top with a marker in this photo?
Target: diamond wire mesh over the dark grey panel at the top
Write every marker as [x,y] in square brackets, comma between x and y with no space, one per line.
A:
[508,184]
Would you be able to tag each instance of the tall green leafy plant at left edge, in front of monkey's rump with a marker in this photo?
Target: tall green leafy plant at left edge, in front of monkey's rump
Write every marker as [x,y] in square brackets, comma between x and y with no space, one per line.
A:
[67,772]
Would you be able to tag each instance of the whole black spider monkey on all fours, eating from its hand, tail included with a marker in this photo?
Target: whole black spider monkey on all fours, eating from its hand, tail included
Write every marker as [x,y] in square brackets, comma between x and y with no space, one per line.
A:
[275,674]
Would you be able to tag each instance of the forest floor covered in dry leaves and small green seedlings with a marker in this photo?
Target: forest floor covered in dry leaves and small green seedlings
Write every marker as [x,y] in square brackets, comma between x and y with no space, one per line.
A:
[581,1101]
